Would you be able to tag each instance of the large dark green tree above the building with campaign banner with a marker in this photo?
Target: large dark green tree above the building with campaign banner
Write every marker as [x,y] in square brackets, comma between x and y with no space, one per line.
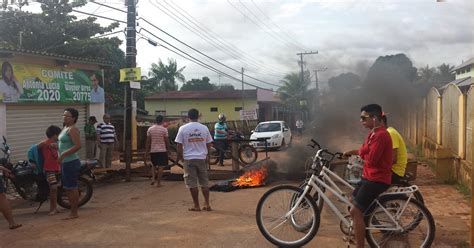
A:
[56,30]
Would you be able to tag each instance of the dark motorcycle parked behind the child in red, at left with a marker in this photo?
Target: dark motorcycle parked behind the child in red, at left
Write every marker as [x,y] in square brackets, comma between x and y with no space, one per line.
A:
[32,186]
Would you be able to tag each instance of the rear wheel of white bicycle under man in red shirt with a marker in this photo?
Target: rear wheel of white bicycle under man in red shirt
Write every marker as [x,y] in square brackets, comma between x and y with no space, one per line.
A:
[415,228]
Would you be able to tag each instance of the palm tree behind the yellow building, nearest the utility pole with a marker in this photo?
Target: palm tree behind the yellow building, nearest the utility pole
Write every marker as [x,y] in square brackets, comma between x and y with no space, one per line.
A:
[163,77]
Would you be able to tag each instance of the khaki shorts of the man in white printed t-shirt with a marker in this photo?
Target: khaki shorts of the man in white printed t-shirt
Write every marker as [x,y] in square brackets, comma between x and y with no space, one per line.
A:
[195,172]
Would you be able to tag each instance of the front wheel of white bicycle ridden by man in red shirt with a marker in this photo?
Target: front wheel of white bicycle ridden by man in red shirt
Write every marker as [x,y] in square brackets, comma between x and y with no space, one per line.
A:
[279,224]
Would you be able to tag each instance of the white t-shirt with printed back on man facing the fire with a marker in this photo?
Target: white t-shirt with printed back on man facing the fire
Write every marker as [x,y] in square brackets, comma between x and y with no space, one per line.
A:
[194,136]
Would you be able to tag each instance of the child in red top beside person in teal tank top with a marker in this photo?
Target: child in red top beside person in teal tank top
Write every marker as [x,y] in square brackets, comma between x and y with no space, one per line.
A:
[51,166]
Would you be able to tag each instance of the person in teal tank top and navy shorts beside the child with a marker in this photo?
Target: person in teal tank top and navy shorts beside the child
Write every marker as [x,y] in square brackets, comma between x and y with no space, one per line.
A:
[69,143]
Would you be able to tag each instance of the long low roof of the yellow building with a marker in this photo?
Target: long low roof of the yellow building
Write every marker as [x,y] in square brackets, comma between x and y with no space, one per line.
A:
[205,94]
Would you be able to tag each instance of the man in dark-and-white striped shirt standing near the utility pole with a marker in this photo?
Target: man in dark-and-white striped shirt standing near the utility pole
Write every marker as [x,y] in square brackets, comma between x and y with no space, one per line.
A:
[106,139]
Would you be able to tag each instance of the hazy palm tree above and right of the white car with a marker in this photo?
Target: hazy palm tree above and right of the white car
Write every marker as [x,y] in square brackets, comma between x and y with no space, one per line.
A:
[294,91]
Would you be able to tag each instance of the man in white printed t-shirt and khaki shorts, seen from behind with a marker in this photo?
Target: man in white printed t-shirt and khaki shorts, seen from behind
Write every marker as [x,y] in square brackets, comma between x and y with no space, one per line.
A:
[193,142]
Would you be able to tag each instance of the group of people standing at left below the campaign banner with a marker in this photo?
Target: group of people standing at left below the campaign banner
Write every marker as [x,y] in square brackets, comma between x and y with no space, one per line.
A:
[56,158]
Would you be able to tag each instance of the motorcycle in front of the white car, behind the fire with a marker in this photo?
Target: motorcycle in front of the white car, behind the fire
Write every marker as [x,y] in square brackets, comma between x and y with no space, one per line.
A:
[247,153]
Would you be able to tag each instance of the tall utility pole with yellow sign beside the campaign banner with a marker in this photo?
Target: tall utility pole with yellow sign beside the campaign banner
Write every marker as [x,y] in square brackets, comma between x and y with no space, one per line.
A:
[131,58]
